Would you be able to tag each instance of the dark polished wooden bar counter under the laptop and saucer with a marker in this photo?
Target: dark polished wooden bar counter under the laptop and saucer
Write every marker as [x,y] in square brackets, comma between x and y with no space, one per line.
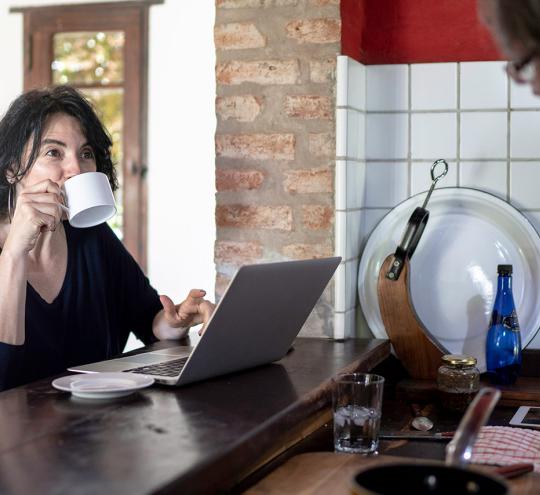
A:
[202,438]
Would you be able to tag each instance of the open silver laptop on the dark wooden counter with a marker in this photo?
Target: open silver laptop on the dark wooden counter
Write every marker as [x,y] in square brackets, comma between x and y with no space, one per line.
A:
[255,323]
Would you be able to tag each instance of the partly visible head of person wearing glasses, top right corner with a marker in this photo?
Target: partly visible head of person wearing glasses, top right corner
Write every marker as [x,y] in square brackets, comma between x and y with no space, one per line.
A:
[515,26]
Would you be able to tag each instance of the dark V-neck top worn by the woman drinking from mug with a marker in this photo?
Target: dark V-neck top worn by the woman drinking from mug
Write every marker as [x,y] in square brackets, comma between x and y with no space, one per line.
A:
[105,295]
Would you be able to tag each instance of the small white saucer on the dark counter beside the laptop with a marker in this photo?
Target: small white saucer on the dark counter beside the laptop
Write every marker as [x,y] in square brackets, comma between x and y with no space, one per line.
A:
[102,385]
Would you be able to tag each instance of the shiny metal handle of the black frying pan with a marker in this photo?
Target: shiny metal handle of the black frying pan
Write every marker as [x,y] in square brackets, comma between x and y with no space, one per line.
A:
[459,450]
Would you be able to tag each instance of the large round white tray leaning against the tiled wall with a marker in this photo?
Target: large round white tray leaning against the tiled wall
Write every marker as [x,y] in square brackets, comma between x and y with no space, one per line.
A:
[453,276]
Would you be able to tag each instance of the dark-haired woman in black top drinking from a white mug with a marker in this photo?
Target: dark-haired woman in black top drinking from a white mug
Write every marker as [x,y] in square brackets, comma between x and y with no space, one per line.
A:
[67,296]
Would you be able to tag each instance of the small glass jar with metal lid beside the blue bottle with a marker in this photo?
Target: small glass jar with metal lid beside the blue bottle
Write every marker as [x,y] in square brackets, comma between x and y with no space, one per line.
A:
[458,381]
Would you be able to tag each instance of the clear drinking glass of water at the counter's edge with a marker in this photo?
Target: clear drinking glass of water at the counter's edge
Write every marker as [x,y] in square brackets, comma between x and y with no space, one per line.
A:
[357,402]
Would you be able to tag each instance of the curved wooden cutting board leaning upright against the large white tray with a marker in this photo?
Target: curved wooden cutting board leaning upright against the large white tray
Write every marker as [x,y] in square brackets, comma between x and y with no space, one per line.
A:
[418,354]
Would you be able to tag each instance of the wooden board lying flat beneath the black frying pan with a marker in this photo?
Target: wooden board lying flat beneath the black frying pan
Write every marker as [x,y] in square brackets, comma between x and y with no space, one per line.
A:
[330,473]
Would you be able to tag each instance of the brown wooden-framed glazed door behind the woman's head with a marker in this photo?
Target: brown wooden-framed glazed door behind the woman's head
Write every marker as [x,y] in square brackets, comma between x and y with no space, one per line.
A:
[101,49]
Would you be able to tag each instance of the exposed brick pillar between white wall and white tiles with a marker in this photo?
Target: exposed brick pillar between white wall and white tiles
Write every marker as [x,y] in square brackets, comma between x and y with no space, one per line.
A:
[275,138]
